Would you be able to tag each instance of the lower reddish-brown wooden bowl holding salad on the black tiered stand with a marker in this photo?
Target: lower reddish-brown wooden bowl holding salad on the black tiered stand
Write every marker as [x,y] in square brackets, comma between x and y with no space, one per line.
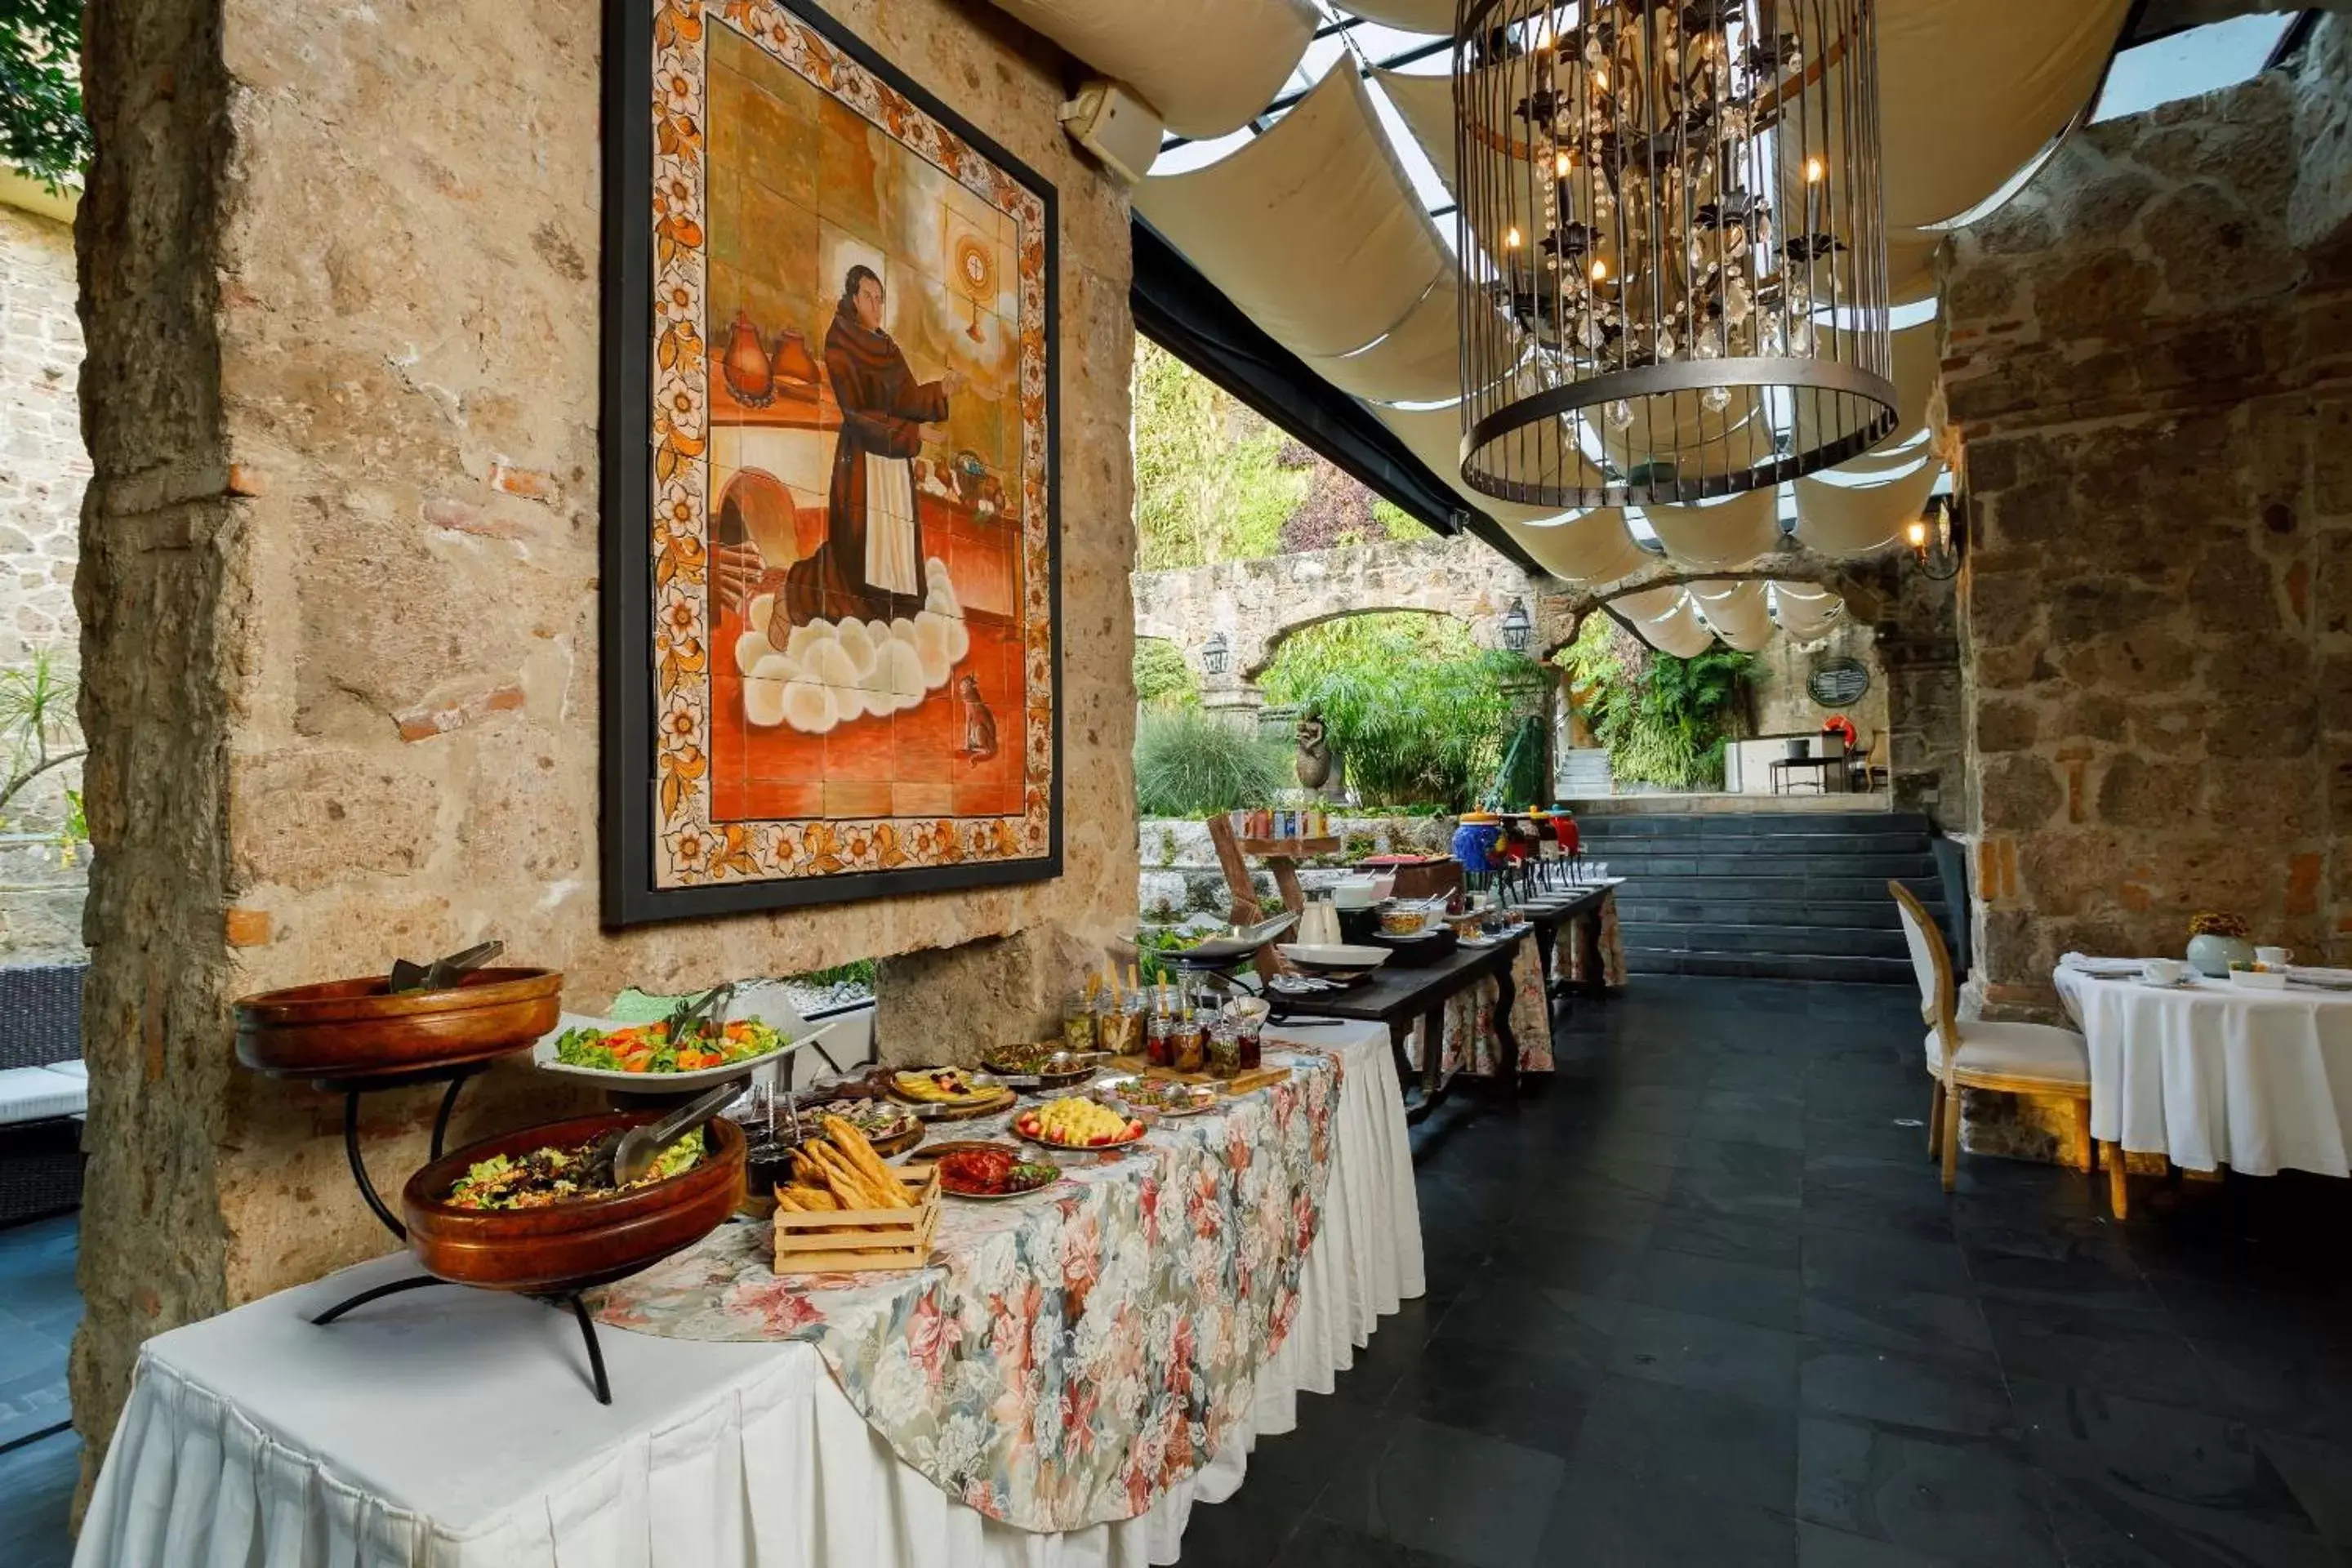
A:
[568,1247]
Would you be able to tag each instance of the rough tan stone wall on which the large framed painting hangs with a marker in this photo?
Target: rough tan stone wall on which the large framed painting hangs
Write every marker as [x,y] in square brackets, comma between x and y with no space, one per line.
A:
[340,596]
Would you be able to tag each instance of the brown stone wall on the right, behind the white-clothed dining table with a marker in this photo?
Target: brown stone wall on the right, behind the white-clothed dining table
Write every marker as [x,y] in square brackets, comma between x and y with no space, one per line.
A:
[2151,366]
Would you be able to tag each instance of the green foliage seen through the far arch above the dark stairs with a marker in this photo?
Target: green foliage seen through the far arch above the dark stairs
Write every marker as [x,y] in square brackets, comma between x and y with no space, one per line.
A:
[1662,718]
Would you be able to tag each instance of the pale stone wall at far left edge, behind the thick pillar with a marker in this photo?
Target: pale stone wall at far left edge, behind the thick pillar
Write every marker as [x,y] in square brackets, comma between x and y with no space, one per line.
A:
[44,471]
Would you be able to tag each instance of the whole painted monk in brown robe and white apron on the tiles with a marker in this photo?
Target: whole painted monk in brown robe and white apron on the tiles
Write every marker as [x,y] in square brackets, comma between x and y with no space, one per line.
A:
[871,561]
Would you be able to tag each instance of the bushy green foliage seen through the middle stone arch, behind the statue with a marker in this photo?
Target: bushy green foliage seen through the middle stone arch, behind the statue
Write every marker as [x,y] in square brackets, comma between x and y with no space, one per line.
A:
[1412,704]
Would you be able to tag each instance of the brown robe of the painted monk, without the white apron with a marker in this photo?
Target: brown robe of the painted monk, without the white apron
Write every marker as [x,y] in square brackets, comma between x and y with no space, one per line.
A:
[883,413]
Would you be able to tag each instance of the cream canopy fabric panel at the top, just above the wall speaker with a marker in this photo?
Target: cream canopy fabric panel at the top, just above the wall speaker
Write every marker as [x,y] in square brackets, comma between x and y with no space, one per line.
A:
[1205,65]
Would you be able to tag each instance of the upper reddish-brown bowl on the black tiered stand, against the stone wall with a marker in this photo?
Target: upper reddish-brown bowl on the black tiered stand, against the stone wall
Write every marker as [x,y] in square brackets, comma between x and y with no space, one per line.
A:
[361,1028]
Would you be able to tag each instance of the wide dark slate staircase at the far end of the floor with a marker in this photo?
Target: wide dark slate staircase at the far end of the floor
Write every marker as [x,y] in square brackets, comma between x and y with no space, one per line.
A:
[1768,894]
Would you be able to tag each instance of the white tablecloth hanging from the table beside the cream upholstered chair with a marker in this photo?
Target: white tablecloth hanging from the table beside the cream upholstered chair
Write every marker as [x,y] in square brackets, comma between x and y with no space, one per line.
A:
[2219,1076]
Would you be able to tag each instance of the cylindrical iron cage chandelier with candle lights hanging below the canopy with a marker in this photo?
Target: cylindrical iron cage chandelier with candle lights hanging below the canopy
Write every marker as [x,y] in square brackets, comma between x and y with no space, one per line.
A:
[1673,246]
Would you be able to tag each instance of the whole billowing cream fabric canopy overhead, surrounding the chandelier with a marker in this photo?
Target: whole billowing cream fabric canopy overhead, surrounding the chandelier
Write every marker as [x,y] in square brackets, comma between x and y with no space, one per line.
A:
[1316,232]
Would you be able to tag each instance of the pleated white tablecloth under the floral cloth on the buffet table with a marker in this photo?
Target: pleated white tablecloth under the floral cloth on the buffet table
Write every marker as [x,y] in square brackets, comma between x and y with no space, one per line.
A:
[455,1428]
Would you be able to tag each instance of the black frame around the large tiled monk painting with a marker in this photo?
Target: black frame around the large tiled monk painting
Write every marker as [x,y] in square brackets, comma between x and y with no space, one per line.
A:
[627,579]
